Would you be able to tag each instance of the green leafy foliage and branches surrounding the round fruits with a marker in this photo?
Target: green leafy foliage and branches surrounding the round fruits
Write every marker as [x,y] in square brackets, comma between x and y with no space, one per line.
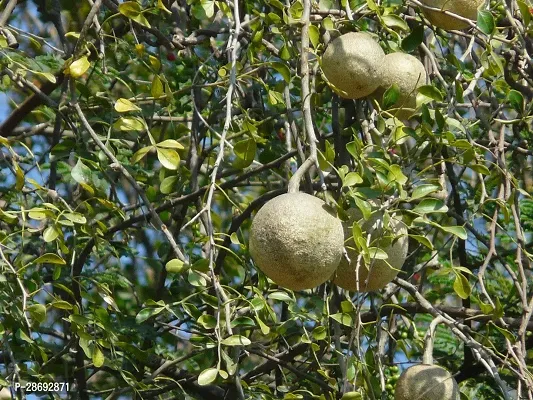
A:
[139,139]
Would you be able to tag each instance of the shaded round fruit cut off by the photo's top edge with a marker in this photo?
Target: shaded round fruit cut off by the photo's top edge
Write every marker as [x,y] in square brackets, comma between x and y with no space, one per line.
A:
[464,8]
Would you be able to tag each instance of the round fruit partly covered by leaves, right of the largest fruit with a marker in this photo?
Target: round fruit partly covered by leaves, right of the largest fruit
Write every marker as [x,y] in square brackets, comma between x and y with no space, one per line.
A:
[380,274]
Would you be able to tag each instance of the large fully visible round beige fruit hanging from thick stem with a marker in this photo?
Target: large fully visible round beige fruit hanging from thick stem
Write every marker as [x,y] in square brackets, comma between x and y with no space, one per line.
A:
[297,241]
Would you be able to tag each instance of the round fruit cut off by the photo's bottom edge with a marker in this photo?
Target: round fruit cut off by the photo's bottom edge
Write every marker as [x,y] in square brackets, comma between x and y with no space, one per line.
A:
[426,382]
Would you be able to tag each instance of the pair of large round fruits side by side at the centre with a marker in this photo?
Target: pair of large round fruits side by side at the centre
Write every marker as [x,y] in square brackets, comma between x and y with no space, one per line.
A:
[298,242]
